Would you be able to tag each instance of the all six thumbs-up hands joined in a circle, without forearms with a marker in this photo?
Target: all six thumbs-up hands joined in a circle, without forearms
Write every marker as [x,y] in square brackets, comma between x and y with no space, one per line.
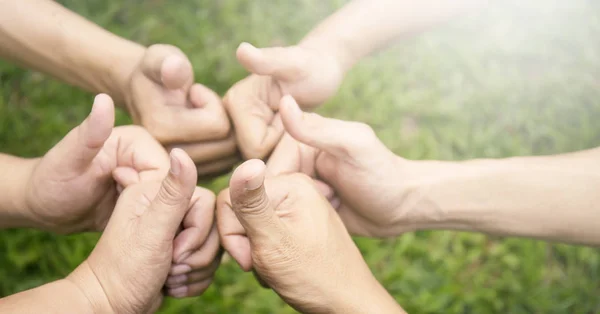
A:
[288,220]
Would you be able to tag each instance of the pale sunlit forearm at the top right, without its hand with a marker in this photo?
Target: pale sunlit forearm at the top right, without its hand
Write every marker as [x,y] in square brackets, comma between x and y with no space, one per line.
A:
[364,26]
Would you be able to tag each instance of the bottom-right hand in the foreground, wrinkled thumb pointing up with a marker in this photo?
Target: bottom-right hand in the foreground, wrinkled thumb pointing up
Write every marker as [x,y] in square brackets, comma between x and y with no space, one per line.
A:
[292,237]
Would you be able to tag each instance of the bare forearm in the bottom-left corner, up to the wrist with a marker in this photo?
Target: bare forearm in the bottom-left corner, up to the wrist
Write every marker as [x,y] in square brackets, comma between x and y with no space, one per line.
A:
[78,293]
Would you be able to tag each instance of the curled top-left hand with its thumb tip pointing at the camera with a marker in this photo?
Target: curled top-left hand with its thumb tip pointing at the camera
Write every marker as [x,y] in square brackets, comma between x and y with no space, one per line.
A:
[162,96]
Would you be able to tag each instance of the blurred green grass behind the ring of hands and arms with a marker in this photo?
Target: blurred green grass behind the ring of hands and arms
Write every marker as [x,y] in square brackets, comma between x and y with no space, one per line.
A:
[515,79]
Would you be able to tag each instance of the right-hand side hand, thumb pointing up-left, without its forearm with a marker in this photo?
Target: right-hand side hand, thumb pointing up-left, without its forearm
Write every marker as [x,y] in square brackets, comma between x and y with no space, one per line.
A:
[367,178]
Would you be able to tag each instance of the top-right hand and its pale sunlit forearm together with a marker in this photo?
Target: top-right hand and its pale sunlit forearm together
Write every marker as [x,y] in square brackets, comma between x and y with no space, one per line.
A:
[312,70]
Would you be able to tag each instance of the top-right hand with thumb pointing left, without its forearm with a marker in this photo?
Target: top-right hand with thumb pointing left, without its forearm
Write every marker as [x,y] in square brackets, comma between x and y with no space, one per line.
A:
[307,74]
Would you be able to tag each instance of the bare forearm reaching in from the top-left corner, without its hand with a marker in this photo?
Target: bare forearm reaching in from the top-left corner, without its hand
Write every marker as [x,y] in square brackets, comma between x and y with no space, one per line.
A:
[45,36]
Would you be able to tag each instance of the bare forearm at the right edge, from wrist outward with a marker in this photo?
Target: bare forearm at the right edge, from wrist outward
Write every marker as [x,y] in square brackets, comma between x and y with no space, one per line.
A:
[546,197]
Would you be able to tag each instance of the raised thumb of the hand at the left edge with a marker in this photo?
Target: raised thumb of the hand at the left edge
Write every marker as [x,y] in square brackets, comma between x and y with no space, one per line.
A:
[79,148]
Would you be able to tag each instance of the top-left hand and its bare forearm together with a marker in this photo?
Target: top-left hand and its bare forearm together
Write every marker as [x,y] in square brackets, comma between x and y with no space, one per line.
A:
[154,84]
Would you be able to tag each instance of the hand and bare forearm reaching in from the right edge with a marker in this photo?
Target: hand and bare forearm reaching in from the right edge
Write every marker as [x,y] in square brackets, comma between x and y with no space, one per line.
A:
[379,194]
